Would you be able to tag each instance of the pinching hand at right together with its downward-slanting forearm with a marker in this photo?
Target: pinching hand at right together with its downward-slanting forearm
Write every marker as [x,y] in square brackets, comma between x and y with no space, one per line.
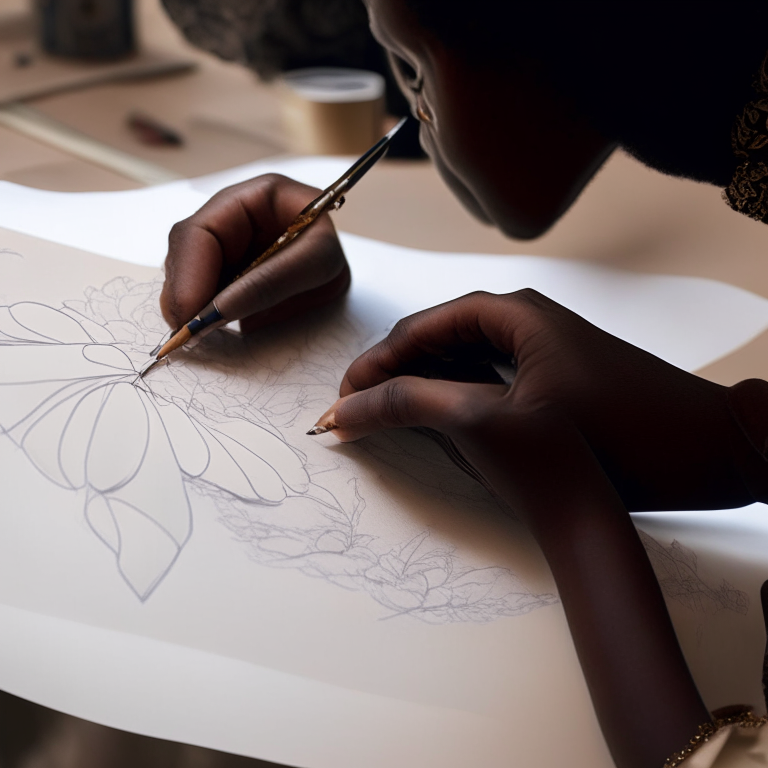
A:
[590,428]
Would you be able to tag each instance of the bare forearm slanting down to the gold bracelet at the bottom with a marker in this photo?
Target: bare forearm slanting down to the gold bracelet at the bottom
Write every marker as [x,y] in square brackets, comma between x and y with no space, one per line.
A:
[644,697]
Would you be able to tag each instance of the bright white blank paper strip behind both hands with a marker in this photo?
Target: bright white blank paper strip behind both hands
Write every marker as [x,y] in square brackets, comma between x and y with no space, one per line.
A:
[678,318]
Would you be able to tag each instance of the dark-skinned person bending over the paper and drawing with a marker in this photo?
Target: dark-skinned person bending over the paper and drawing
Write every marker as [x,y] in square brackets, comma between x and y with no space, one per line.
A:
[592,428]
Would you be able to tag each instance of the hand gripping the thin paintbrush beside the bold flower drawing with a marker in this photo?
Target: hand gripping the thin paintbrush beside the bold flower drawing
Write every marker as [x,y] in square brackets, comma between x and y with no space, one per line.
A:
[231,230]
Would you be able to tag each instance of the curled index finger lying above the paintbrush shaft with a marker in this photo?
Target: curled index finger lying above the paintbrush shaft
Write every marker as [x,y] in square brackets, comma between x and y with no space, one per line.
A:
[233,227]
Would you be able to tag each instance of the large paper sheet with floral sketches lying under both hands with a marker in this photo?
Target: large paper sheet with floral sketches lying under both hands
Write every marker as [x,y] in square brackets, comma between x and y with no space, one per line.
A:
[329,606]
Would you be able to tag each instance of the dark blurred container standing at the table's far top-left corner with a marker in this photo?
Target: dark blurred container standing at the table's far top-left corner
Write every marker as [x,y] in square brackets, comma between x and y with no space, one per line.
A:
[87,29]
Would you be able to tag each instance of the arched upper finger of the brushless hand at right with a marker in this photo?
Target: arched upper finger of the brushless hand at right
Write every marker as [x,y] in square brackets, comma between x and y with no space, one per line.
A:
[503,321]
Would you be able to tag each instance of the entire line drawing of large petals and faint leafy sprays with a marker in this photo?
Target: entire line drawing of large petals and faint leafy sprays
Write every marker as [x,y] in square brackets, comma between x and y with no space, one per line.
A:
[140,451]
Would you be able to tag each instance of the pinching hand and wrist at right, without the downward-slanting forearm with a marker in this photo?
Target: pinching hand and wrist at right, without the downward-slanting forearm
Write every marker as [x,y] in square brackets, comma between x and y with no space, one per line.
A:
[665,438]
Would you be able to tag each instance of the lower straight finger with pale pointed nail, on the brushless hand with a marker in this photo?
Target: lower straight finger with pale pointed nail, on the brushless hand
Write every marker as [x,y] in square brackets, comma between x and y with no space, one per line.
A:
[409,401]
